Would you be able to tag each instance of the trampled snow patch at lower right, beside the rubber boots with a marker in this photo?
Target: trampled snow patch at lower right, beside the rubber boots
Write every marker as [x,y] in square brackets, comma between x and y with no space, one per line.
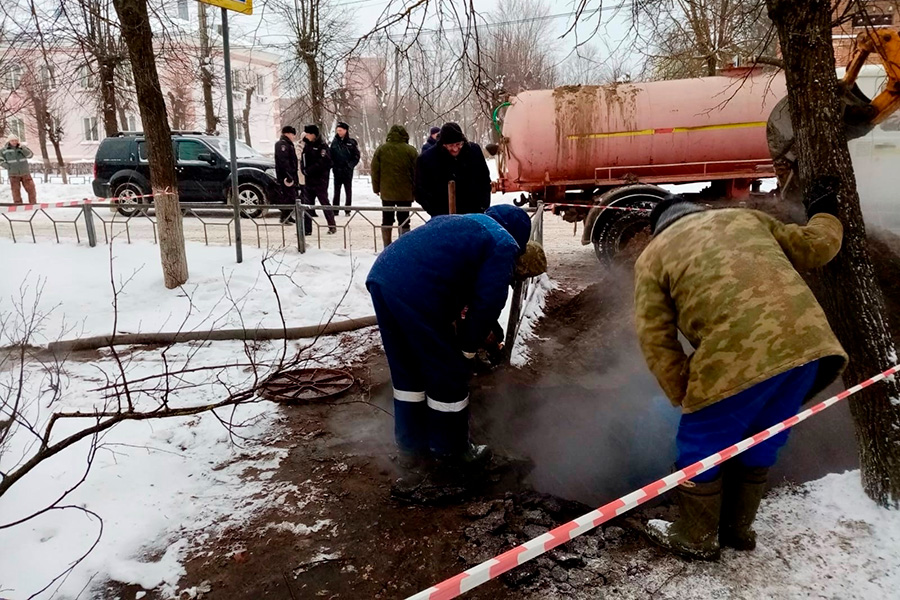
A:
[824,539]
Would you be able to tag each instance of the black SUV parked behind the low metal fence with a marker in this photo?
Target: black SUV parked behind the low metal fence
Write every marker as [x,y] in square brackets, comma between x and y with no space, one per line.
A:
[121,171]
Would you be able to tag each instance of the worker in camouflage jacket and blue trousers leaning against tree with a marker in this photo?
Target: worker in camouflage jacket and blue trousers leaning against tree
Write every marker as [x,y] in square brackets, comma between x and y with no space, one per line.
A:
[727,280]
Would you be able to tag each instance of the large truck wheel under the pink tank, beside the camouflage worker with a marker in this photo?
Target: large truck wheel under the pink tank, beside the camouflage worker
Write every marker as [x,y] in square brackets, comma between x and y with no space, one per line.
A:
[615,229]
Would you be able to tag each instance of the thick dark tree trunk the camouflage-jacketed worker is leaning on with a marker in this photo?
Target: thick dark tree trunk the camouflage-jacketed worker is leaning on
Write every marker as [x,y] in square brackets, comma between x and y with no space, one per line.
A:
[854,302]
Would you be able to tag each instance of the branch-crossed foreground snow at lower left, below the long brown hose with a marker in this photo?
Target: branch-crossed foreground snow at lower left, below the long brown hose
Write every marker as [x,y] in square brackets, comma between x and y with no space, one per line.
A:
[162,488]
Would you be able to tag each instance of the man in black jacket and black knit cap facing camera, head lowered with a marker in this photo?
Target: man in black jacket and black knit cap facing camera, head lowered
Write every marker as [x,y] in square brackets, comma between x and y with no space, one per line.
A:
[453,158]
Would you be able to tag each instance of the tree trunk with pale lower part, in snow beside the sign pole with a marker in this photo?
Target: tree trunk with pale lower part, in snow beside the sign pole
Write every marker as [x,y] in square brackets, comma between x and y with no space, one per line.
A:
[135,24]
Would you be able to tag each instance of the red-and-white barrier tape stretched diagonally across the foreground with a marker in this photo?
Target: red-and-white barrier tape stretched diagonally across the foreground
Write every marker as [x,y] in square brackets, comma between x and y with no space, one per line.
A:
[490,569]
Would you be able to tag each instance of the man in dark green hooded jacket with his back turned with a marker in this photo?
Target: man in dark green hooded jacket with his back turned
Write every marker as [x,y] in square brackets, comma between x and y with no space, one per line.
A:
[393,178]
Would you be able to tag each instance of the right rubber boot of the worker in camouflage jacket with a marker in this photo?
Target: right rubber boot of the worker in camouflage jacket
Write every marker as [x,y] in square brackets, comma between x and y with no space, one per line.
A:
[743,489]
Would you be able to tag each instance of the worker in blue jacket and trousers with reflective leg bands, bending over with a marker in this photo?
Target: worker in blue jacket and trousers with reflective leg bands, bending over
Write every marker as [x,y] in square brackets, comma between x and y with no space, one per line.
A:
[419,287]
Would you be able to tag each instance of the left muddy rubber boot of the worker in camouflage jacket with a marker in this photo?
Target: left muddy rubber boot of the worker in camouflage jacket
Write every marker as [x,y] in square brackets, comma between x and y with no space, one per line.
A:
[695,534]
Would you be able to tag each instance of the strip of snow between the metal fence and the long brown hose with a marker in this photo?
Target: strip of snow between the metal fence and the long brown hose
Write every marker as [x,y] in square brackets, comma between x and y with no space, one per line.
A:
[219,293]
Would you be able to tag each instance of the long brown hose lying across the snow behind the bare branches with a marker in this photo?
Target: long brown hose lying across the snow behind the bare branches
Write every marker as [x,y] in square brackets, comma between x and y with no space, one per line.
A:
[165,338]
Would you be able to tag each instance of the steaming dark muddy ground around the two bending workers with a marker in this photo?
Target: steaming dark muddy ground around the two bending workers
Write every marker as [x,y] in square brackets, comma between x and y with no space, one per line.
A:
[585,413]
